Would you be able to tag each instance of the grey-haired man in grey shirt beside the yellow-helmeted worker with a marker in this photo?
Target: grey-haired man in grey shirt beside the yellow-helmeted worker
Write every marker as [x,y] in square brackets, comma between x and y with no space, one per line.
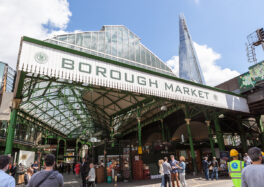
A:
[253,175]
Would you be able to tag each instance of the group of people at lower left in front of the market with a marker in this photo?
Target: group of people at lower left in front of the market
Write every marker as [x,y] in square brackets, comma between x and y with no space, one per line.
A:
[48,176]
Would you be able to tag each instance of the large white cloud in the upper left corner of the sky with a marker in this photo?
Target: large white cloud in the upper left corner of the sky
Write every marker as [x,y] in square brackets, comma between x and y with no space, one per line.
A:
[33,18]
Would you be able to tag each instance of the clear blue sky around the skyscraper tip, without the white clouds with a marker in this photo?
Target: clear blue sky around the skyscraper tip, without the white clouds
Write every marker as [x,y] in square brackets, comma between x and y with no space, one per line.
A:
[221,25]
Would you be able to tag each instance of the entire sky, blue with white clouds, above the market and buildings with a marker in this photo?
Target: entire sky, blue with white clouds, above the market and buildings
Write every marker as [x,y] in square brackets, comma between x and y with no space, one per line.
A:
[218,27]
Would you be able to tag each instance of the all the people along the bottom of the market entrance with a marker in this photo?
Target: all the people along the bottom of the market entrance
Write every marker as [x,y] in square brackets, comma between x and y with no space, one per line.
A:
[246,173]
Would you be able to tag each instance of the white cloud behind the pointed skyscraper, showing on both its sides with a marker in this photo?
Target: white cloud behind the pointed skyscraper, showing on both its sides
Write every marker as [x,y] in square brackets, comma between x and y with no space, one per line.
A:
[213,73]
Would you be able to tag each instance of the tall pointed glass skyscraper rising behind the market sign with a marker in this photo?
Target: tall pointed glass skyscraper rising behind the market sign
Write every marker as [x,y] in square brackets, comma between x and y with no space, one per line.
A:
[189,67]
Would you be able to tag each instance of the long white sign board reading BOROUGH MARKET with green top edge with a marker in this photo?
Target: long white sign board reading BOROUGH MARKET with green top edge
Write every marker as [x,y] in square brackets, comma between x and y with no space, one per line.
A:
[54,61]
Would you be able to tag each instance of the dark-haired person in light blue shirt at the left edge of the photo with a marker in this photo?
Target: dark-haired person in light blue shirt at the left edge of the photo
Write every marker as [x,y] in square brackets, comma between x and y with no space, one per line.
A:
[5,179]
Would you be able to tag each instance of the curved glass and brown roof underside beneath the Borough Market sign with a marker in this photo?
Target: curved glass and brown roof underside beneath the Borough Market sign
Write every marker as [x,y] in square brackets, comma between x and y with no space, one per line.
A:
[75,109]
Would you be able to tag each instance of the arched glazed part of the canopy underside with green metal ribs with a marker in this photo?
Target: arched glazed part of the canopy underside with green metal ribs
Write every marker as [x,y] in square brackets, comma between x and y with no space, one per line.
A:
[56,104]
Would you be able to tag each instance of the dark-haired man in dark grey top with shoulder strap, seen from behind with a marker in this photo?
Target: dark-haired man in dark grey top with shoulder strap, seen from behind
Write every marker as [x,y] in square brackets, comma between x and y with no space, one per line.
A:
[47,177]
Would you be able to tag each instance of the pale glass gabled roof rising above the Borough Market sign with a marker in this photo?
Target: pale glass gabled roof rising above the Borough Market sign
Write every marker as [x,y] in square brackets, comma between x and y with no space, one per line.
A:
[114,42]
